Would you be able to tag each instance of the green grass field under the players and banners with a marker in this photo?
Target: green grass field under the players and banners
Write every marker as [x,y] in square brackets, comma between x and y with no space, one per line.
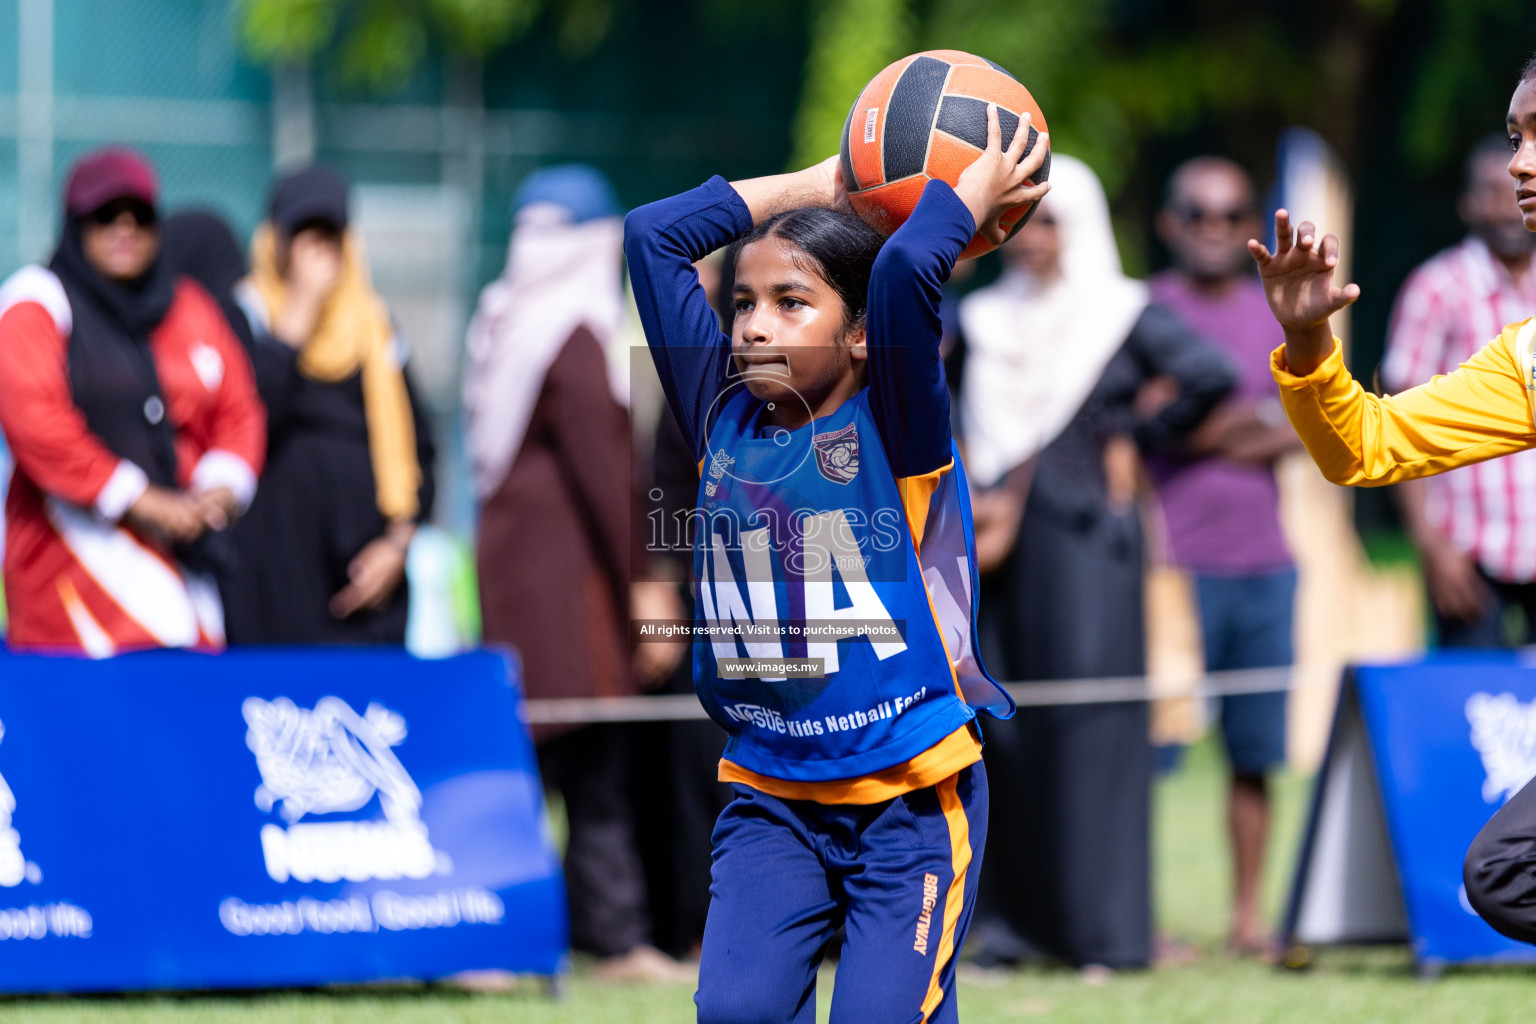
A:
[1356,986]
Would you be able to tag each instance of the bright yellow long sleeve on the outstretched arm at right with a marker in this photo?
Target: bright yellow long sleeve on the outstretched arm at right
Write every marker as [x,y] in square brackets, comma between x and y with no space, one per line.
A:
[1477,414]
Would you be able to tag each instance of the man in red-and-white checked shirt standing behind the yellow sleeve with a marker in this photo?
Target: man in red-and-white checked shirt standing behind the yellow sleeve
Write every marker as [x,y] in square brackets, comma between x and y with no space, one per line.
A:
[1475,529]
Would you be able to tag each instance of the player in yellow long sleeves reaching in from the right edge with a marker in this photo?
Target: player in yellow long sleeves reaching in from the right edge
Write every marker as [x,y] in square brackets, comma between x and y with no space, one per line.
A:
[1480,412]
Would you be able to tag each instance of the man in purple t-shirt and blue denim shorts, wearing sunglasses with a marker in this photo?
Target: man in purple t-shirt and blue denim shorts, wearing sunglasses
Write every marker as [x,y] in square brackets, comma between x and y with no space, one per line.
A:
[1222,507]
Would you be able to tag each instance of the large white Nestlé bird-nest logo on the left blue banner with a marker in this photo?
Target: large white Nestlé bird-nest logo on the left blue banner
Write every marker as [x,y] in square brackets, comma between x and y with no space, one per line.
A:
[329,761]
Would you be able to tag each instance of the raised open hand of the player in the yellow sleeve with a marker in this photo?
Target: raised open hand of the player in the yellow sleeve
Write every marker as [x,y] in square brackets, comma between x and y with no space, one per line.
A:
[1299,283]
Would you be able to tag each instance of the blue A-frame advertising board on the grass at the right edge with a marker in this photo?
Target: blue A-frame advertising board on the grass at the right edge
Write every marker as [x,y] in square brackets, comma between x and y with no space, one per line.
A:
[1420,759]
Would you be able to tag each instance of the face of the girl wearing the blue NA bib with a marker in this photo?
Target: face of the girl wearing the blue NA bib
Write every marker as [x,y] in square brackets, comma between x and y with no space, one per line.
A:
[789,337]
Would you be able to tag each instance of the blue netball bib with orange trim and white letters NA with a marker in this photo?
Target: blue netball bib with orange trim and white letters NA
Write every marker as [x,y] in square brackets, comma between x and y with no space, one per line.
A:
[835,616]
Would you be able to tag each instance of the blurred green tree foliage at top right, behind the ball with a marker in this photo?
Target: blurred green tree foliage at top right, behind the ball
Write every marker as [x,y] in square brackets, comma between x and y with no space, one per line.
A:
[1114,76]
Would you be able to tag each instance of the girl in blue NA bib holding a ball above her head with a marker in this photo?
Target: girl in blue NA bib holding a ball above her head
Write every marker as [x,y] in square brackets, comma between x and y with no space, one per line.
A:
[836,583]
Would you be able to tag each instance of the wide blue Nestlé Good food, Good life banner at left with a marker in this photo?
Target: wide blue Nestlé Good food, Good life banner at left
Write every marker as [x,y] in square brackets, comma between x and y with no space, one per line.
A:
[174,821]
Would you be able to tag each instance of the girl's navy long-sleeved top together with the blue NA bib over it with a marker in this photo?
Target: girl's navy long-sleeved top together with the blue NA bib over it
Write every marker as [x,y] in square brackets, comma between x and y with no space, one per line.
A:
[887,718]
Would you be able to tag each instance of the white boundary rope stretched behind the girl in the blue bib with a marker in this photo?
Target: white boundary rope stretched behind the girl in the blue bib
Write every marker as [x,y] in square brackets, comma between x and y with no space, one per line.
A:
[1044,695]
